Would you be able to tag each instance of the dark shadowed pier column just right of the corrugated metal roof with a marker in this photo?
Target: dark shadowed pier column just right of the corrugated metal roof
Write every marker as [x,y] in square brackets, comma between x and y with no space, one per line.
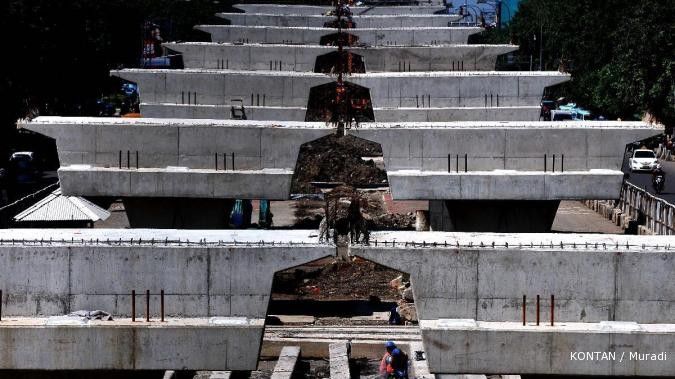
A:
[178,213]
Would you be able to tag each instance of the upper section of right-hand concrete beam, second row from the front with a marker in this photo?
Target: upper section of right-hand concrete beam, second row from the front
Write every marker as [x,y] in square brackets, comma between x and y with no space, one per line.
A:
[505,146]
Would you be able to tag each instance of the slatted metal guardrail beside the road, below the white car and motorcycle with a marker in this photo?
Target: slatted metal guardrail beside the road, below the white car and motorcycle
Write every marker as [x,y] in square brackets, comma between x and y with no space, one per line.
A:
[638,204]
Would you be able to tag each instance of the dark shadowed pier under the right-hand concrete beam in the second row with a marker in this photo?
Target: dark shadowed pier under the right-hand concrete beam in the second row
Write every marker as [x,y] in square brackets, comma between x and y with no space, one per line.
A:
[499,216]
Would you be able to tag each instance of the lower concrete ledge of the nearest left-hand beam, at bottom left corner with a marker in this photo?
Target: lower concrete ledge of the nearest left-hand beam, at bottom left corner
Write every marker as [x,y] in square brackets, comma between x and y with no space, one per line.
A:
[185,343]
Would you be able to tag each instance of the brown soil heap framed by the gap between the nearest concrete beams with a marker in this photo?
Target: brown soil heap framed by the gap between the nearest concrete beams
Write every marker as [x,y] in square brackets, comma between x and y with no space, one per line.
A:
[337,280]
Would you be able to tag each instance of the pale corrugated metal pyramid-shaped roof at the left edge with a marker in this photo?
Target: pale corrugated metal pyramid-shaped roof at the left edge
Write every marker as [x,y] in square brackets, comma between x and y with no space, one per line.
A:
[57,207]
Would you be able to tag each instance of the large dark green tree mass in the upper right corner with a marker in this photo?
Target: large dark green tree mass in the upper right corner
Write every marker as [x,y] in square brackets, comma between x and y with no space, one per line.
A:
[620,52]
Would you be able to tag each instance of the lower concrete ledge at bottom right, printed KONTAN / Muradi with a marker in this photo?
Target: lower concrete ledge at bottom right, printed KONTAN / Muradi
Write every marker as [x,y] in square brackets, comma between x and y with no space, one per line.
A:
[613,348]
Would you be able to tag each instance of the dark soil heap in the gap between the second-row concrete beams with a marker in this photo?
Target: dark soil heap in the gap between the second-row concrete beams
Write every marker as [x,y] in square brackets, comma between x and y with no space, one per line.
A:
[337,159]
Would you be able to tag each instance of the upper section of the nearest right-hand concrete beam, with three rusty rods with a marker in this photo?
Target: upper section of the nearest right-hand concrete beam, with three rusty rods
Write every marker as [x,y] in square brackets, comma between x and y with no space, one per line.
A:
[593,278]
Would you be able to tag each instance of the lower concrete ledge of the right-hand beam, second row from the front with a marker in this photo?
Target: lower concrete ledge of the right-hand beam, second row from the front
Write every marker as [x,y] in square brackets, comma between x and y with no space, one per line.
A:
[505,185]
